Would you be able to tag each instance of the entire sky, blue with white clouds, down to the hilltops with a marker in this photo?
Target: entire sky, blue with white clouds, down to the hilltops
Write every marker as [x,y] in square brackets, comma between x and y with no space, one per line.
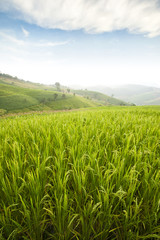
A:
[81,42]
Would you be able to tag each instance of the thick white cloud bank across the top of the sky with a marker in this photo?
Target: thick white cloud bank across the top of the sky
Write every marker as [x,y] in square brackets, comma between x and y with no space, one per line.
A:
[140,16]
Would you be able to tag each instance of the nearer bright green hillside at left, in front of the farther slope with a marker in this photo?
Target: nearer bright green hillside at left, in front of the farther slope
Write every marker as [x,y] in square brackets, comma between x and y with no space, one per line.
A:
[15,98]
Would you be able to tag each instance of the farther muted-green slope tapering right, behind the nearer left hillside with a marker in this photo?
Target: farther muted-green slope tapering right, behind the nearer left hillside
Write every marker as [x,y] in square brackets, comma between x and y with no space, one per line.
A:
[101,98]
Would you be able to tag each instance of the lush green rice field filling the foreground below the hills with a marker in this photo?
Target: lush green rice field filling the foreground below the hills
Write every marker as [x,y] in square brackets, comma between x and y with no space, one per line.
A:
[81,175]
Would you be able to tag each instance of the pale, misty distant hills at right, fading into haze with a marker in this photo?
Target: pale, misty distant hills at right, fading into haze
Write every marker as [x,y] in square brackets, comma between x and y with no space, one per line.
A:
[138,94]
